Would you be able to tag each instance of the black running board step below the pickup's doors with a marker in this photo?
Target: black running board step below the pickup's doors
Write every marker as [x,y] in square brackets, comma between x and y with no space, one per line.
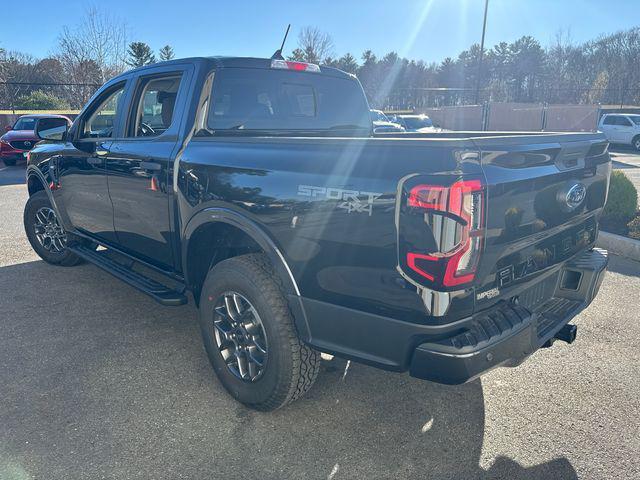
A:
[160,293]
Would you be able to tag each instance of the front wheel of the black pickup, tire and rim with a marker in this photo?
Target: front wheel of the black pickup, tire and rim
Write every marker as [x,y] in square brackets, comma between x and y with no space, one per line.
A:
[44,232]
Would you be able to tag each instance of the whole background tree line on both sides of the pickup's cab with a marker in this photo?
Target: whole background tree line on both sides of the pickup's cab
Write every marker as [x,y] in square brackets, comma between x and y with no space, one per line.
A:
[603,70]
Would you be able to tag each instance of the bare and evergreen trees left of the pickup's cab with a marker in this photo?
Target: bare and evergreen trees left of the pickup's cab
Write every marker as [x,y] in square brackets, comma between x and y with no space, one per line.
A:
[86,56]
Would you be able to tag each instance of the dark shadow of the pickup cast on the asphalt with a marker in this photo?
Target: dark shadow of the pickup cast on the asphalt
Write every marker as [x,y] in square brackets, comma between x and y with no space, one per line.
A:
[98,380]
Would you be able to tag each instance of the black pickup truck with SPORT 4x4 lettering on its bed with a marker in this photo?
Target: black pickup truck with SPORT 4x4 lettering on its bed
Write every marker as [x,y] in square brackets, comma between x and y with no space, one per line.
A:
[258,187]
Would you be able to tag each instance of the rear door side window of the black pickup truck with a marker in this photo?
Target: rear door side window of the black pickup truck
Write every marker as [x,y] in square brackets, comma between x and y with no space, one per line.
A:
[154,105]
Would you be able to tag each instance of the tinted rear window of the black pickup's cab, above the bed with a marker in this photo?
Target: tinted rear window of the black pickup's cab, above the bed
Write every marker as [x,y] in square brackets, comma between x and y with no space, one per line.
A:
[248,100]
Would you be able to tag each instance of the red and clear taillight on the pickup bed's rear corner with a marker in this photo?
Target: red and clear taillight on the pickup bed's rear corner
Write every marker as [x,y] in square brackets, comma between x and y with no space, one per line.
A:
[455,215]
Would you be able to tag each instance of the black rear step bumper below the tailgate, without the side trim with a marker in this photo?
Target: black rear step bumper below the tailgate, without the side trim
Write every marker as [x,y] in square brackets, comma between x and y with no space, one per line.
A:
[508,333]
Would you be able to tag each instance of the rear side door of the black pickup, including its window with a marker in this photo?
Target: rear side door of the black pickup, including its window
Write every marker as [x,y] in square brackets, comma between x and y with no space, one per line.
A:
[139,166]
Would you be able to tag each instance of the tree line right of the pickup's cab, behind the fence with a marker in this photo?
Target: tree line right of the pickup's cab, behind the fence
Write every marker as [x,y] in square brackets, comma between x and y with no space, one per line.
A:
[603,70]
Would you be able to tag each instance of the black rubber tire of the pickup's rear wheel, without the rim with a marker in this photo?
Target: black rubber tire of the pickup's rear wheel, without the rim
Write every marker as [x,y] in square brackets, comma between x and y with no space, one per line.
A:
[290,367]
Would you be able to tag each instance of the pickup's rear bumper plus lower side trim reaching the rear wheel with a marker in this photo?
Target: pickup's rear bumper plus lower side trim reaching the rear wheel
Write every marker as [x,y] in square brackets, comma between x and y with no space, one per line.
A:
[453,353]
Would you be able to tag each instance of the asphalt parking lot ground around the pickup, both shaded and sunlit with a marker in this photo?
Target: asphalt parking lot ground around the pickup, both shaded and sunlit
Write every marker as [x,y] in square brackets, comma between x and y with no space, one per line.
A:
[98,381]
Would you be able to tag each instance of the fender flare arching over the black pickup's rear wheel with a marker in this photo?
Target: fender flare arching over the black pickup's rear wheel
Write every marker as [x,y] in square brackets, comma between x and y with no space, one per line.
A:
[251,228]
